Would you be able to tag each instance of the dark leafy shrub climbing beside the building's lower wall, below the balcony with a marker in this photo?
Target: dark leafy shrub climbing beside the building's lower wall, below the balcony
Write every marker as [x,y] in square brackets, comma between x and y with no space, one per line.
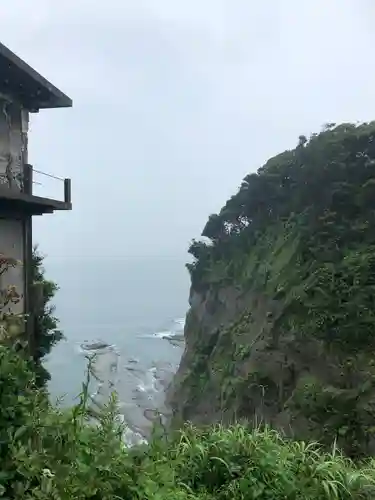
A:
[46,332]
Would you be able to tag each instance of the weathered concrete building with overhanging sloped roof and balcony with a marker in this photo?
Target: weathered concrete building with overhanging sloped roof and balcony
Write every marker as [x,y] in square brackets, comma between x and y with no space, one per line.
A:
[22,91]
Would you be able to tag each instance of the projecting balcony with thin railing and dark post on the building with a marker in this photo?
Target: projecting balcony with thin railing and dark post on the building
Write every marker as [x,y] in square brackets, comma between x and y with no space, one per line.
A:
[17,192]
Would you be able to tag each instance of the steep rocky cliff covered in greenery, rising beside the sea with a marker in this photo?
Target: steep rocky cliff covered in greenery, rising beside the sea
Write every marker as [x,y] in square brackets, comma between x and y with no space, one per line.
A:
[280,328]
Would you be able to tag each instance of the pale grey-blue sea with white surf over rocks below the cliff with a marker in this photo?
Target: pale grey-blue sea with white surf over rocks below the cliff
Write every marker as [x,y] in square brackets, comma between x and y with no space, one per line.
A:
[127,314]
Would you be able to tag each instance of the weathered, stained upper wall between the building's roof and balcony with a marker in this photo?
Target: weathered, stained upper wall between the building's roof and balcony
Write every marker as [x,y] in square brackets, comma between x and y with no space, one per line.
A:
[13,142]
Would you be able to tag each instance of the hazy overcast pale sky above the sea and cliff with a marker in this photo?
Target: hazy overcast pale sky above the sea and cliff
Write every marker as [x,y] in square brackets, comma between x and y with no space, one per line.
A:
[175,101]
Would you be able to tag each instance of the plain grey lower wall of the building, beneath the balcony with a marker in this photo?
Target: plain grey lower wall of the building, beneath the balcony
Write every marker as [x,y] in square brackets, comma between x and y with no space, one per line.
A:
[12,245]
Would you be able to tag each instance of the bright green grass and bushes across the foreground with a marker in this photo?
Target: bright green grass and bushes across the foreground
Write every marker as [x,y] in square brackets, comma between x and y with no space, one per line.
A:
[51,454]
